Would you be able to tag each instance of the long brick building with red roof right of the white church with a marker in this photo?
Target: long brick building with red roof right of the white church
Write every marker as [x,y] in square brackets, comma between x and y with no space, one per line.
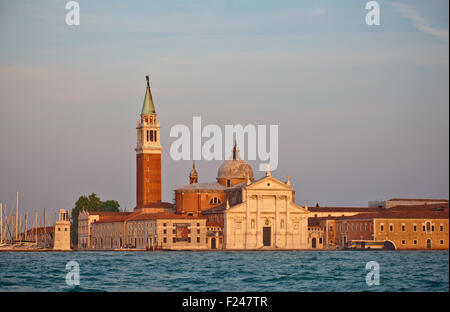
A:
[404,227]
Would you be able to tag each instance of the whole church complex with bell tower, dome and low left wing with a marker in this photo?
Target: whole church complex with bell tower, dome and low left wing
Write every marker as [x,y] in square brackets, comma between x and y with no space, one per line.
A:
[234,212]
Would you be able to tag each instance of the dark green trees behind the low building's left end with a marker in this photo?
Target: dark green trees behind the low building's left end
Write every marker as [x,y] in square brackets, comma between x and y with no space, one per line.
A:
[89,203]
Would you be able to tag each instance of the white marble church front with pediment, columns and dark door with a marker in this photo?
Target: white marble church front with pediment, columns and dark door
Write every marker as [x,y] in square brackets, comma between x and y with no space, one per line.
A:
[267,218]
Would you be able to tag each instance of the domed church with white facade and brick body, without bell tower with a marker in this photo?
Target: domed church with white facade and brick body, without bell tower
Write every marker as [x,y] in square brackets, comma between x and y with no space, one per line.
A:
[245,213]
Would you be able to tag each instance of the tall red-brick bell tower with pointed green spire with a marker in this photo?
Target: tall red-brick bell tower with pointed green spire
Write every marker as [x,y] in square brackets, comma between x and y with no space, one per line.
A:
[148,154]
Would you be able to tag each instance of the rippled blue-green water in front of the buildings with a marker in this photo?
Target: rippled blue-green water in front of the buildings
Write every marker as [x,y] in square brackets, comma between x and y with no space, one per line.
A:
[226,271]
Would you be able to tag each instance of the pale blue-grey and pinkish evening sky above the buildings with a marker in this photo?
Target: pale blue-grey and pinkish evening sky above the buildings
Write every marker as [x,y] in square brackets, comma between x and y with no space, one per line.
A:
[363,111]
